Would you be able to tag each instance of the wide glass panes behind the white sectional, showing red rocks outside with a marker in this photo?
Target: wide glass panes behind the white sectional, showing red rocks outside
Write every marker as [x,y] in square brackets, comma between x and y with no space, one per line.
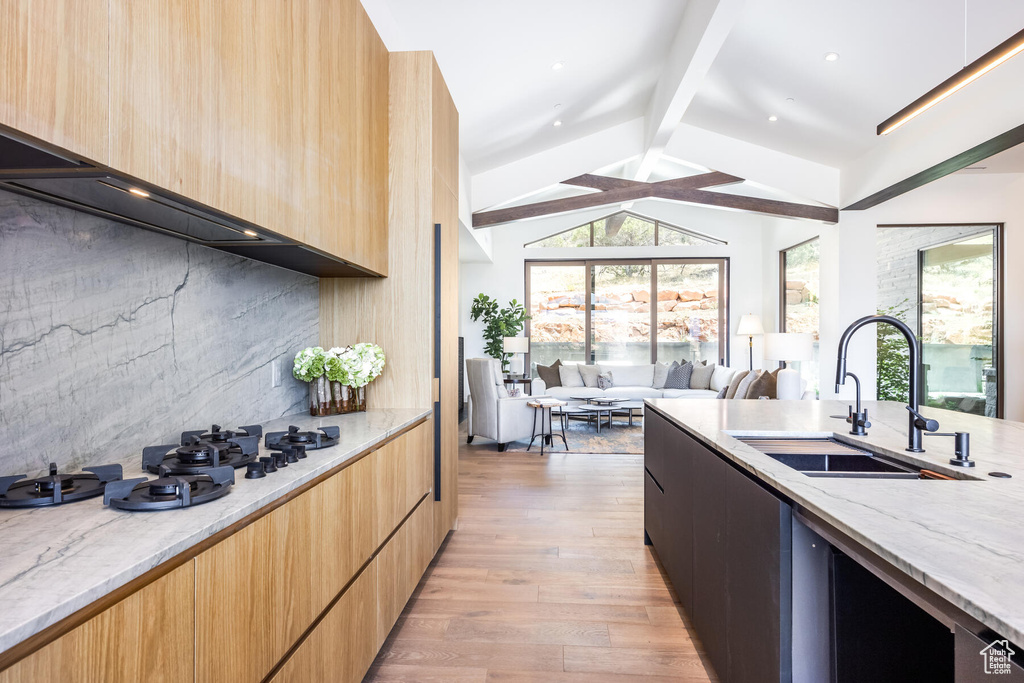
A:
[628,312]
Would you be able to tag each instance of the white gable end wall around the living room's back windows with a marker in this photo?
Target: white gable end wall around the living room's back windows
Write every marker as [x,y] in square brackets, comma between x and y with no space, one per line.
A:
[745,234]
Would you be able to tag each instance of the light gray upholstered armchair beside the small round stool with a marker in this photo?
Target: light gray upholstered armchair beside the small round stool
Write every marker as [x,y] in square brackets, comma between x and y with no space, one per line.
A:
[493,414]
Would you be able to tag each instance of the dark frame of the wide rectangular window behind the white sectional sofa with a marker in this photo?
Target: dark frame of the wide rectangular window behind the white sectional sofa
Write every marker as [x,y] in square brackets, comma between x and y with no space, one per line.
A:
[724,293]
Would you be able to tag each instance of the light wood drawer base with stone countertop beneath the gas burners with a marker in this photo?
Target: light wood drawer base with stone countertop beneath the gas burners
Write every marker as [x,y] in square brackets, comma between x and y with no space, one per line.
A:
[330,526]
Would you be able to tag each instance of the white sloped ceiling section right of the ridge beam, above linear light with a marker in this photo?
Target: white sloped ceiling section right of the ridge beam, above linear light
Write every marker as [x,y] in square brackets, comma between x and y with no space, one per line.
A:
[891,53]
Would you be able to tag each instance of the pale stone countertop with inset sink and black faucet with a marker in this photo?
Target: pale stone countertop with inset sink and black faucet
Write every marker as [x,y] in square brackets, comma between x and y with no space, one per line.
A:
[963,540]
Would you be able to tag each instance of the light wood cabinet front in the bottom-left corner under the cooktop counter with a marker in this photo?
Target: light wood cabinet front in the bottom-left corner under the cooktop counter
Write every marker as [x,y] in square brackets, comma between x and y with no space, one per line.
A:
[149,636]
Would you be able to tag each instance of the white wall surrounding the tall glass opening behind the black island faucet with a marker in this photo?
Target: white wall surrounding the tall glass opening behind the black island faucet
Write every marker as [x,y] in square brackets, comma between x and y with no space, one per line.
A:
[849,266]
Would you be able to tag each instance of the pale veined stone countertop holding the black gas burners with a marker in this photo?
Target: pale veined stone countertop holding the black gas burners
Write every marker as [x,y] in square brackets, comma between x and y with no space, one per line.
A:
[58,561]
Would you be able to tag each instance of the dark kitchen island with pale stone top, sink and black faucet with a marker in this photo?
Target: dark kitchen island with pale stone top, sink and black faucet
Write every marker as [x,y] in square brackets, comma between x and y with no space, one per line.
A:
[955,549]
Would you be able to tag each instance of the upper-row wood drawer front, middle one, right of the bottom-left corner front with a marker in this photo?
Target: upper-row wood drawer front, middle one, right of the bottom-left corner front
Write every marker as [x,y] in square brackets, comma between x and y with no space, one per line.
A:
[261,589]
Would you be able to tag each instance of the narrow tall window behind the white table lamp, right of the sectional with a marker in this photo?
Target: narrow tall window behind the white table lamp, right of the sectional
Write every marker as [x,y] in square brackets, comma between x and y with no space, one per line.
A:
[800,269]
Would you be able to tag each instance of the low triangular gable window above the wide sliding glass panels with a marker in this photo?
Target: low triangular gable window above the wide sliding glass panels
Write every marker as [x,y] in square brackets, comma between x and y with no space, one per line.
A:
[626,230]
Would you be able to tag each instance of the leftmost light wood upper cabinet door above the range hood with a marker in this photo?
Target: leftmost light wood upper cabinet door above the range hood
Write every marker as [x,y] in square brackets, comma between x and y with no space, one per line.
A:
[54,73]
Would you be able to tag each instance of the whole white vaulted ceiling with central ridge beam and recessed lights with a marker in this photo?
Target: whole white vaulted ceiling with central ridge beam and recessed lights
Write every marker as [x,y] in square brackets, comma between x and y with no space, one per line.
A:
[695,79]
